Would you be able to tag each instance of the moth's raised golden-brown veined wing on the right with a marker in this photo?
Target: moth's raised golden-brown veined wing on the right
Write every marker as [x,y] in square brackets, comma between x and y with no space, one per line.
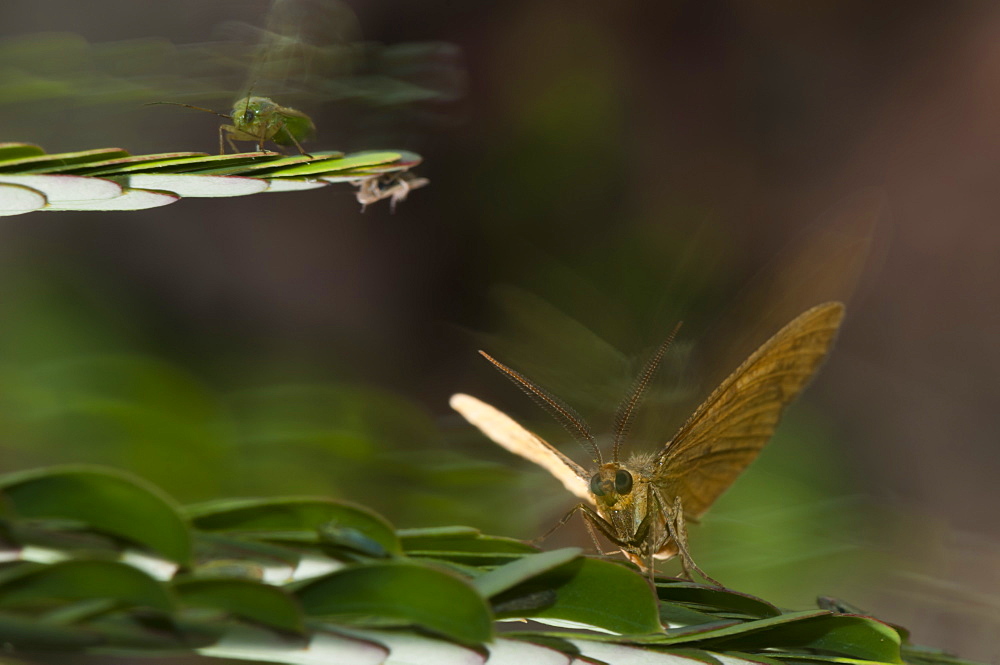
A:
[728,430]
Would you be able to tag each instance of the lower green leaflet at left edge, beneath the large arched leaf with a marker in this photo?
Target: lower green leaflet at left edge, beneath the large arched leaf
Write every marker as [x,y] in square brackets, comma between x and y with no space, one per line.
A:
[84,580]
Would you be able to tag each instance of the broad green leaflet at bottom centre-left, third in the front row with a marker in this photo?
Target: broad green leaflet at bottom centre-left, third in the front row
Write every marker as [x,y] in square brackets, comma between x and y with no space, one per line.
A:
[405,591]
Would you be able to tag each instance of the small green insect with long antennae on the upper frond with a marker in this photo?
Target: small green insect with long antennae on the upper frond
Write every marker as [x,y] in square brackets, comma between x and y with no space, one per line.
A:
[259,119]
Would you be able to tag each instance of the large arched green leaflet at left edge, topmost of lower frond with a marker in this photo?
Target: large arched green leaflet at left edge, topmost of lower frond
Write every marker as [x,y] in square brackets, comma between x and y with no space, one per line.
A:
[106,500]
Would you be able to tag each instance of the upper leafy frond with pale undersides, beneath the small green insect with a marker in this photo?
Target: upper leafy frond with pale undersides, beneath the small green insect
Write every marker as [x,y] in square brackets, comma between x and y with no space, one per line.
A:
[112,179]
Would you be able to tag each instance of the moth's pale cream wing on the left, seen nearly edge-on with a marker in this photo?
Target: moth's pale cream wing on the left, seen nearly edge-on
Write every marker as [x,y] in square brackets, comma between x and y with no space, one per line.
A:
[499,427]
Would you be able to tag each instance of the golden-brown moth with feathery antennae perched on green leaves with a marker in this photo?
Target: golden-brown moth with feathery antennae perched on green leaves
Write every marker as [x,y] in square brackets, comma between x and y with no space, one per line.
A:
[641,505]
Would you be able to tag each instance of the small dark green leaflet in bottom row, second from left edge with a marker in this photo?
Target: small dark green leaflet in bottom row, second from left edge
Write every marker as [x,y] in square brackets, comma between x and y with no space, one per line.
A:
[263,603]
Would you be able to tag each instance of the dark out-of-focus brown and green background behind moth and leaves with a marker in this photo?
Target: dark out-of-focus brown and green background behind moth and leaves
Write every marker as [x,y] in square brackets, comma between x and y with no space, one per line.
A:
[610,169]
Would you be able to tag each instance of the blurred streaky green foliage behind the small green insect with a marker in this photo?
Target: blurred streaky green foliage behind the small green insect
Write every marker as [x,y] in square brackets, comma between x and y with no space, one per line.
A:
[308,54]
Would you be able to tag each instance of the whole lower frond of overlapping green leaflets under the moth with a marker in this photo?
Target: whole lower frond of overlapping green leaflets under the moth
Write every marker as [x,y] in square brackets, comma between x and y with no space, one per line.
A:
[98,561]
